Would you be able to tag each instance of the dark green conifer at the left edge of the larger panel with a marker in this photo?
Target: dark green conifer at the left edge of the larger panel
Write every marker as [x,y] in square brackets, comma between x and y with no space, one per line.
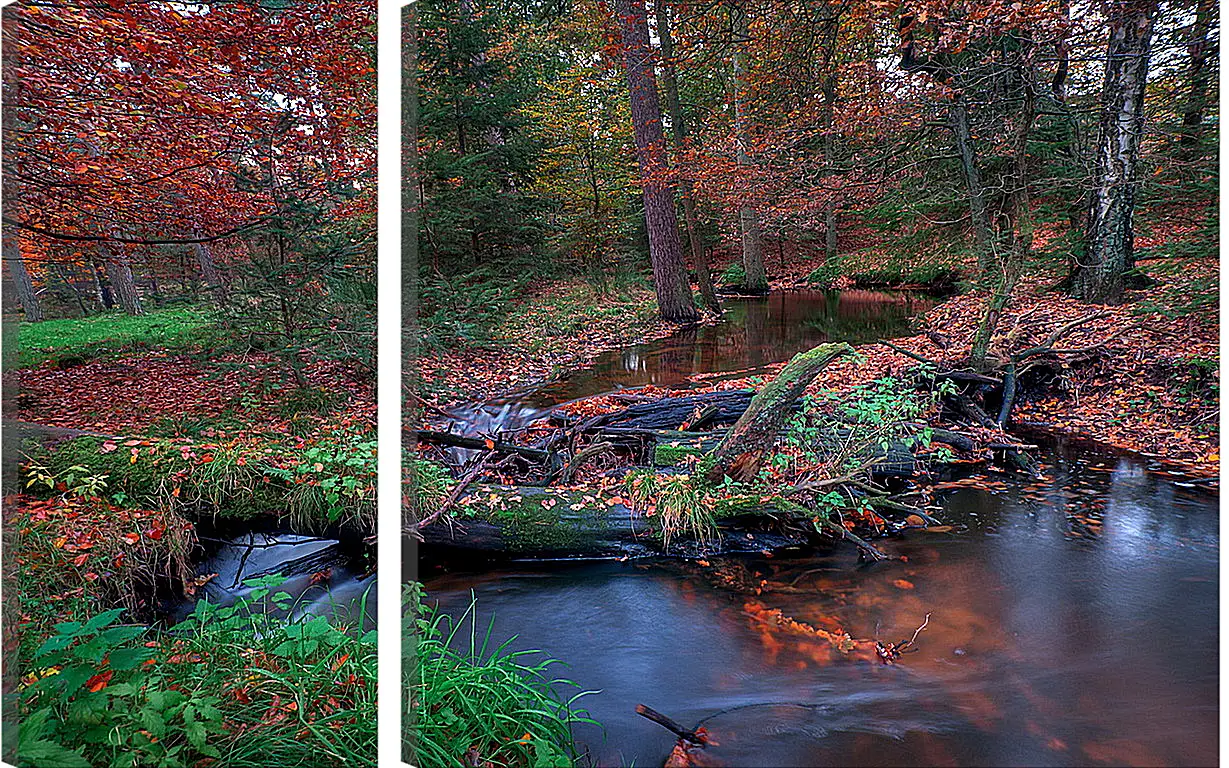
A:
[477,155]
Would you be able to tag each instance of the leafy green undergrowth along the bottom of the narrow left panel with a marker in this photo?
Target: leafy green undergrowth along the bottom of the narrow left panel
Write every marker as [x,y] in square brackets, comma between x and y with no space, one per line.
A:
[228,686]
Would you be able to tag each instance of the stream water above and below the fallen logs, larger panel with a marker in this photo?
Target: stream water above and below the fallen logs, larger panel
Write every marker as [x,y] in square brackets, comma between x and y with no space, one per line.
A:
[1074,621]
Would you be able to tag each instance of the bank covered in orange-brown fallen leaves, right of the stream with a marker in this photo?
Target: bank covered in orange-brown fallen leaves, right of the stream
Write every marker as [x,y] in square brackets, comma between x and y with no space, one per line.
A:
[1139,379]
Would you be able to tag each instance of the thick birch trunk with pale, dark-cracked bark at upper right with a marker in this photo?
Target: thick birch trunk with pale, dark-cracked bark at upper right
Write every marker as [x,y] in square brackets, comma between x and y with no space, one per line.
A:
[1109,253]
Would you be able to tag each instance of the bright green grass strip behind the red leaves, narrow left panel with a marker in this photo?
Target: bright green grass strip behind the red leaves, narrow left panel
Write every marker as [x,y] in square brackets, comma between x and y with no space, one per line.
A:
[79,340]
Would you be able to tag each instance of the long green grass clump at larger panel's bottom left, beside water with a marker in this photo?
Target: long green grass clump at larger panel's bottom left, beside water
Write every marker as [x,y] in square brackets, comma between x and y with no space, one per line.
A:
[473,702]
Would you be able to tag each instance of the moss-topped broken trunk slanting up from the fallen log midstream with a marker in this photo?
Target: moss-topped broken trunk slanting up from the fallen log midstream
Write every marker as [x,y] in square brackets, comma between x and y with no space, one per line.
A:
[758,429]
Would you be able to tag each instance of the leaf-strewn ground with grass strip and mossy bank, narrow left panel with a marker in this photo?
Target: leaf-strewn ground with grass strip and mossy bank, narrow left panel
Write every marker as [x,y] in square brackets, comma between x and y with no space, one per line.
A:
[155,411]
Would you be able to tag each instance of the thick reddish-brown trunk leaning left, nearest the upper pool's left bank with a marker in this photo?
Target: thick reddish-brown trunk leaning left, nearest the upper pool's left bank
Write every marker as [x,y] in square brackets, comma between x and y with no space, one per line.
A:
[662,222]
